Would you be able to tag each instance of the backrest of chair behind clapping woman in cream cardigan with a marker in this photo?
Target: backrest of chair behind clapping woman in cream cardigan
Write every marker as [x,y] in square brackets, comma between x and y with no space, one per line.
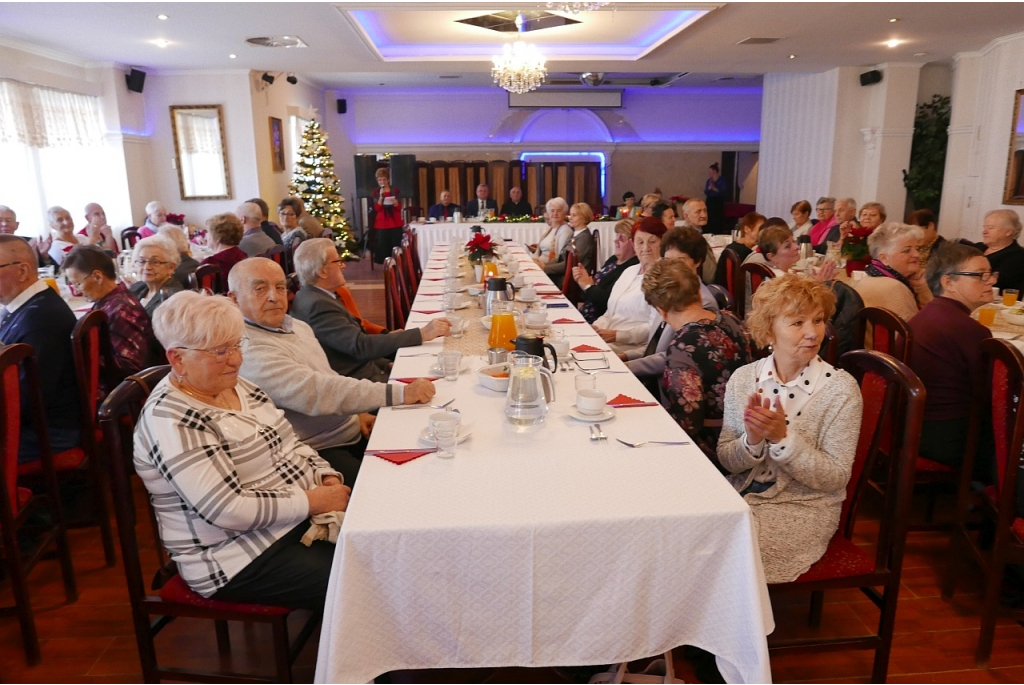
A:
[903,412]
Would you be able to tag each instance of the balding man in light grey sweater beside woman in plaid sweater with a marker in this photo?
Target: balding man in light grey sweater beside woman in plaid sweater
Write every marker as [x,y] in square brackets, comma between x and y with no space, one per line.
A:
[283,358]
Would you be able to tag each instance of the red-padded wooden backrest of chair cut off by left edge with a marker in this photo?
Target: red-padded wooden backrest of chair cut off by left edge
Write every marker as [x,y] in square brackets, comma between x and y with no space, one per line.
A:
[18,365]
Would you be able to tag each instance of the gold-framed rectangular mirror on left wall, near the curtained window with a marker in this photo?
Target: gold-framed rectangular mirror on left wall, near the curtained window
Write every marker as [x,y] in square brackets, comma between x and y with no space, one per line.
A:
[201,152]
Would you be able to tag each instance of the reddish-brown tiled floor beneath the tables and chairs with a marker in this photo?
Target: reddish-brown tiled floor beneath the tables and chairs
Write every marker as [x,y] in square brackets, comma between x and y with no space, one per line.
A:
[93,639]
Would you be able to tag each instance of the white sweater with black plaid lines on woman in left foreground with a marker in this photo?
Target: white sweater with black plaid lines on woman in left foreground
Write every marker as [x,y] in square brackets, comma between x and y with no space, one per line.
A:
[225,485]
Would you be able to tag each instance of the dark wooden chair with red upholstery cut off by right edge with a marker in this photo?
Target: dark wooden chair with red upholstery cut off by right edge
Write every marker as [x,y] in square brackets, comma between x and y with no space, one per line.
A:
[998,505]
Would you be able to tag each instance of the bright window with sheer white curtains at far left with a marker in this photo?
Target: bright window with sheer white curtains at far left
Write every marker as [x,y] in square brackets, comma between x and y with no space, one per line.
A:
[54,153]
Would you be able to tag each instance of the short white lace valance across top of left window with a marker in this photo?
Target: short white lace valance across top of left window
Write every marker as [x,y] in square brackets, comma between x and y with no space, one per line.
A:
[47,118]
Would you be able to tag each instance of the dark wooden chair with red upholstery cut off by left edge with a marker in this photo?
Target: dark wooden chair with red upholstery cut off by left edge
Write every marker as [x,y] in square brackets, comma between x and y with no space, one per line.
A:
[19,504]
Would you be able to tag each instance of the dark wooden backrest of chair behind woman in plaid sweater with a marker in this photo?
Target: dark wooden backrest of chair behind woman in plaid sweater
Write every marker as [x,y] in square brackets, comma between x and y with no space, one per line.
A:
[118,416]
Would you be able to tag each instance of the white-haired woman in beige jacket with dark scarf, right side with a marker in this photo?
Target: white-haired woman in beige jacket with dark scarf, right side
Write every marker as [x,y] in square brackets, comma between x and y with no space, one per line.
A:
[894,279]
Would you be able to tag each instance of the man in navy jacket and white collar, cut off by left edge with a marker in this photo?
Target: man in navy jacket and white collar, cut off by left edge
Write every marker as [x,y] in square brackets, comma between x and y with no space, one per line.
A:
[34,315]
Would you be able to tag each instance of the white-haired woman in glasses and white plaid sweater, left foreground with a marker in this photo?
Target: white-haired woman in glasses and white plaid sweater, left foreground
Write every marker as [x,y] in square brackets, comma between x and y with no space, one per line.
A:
[232,486]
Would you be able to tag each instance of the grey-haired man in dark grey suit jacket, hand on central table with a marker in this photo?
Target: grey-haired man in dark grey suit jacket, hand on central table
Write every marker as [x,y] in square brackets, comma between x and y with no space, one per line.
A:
[351,351]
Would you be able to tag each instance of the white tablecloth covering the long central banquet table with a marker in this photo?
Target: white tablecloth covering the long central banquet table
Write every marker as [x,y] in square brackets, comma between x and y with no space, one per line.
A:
[535,547]
